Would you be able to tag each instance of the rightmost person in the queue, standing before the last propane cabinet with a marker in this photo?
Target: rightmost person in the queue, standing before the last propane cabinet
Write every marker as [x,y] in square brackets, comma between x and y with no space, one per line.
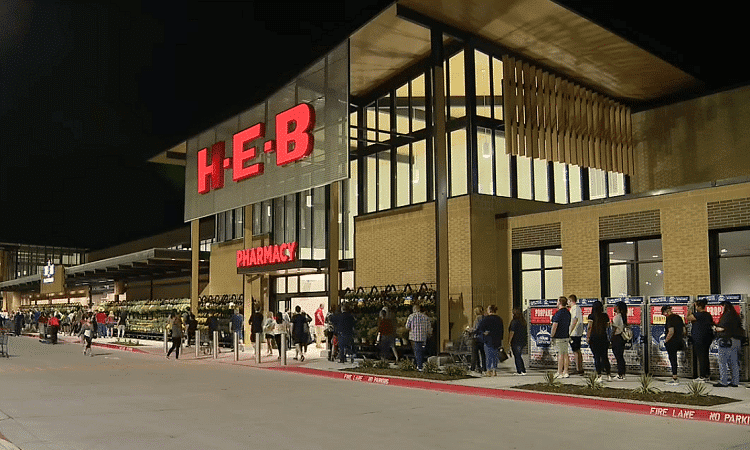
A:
[730,334]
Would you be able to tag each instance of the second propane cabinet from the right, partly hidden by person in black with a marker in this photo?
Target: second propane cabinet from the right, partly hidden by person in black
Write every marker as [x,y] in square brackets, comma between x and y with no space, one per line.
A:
[657,351]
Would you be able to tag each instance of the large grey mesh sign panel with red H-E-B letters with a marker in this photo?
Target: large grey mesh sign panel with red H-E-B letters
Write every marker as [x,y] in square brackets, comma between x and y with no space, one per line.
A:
[297,139]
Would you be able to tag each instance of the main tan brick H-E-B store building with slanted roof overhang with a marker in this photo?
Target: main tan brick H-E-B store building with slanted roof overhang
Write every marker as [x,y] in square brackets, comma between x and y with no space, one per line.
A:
[494,151]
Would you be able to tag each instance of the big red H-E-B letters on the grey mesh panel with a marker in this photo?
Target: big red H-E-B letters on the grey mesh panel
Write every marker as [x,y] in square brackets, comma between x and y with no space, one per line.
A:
[294,141]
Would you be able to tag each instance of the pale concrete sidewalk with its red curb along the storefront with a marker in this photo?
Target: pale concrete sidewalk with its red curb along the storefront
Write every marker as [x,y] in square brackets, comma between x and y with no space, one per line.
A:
[502,386]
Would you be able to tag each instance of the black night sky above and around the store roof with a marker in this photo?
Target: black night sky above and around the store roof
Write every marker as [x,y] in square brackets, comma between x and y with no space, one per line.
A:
[90,91]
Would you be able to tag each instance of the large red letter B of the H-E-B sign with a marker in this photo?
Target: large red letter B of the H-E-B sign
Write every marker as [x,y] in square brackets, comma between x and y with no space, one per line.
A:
[293,138]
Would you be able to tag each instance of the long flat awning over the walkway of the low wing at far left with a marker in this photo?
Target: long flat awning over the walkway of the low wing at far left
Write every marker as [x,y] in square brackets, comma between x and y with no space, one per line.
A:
[153,264]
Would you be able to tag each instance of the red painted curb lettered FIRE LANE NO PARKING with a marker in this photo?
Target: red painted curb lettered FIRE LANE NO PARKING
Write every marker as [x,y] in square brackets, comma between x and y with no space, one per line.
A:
[674,412]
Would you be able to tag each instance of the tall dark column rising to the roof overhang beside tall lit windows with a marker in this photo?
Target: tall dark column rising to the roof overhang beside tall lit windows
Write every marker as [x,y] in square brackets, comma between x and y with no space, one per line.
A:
[441,187]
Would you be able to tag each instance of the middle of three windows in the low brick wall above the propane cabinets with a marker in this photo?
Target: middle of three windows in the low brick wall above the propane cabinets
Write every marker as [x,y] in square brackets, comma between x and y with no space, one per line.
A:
[635,268]
